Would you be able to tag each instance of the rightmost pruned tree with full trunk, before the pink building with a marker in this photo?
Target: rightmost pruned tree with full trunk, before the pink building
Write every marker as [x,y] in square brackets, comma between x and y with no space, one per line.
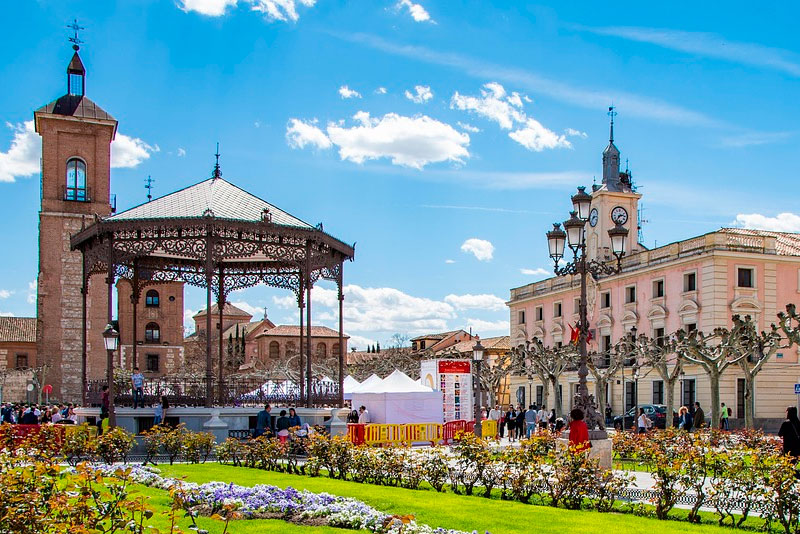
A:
[757,348]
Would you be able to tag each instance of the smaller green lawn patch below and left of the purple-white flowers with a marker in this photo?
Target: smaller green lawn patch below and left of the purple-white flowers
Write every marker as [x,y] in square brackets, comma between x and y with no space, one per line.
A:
[159,502]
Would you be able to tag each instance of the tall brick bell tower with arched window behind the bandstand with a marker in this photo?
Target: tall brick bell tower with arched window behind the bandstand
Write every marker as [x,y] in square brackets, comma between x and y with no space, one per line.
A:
[75,180]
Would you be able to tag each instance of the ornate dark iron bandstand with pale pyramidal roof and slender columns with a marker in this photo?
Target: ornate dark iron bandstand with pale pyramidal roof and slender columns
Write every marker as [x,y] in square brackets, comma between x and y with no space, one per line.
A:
[216,236]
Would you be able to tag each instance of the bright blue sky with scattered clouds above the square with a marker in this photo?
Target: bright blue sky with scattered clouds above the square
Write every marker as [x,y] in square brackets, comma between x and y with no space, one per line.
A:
[443,137]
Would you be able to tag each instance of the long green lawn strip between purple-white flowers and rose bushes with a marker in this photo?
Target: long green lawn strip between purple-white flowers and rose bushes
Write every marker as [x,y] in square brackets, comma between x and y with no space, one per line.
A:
[449,510]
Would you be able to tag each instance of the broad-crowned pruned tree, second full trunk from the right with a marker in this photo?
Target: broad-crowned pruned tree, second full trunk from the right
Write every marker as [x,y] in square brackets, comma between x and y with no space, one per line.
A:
[714,353]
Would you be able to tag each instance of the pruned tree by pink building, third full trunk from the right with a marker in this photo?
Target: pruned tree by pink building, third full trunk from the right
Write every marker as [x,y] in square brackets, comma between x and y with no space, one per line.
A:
[660,355]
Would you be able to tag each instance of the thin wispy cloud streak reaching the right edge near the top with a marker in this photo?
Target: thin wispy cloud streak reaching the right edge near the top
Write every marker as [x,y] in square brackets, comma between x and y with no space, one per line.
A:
[709,45]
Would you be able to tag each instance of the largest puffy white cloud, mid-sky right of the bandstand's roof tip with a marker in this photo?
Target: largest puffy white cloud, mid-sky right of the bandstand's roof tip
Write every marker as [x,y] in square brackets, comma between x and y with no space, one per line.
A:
[408,141]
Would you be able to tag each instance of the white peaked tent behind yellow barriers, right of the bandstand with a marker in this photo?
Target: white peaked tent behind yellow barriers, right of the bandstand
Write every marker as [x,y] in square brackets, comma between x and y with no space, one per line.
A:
[399,399]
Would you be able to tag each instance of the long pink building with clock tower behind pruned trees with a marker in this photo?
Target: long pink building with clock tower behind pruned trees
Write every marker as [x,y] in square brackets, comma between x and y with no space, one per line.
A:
[696,283]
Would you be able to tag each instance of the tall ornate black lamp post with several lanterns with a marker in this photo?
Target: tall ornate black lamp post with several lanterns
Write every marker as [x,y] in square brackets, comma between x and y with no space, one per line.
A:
[574,234]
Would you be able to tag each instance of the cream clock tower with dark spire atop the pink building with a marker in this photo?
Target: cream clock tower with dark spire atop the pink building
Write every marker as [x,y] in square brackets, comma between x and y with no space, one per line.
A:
[613,201]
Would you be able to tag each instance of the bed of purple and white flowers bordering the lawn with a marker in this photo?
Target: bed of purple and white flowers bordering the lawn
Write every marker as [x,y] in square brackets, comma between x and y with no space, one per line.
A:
[270,502]
